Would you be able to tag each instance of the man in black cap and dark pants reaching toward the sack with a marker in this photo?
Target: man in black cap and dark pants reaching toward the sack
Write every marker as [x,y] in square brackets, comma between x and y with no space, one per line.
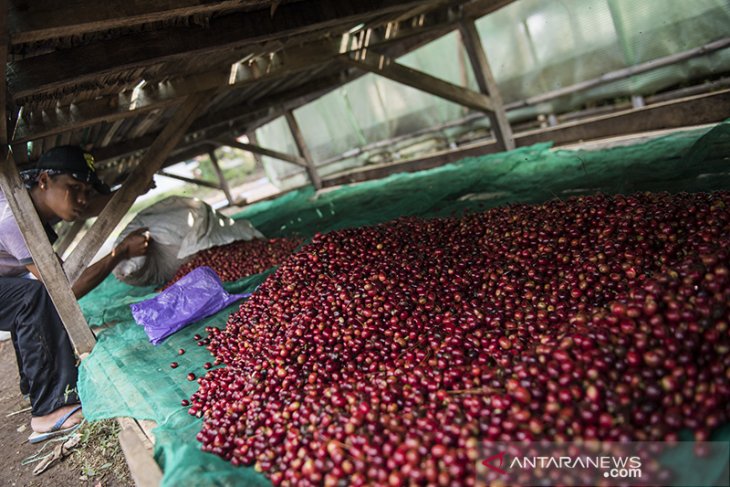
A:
[63,186]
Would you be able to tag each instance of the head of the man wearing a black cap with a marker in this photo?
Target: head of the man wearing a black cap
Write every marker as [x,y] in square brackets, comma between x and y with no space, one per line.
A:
[63,180]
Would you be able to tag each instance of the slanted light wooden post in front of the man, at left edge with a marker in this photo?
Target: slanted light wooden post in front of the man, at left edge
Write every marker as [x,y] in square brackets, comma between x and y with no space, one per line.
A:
[32,229]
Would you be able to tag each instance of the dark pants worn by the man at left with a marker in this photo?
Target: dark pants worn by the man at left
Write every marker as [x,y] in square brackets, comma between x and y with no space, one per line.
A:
[46,360]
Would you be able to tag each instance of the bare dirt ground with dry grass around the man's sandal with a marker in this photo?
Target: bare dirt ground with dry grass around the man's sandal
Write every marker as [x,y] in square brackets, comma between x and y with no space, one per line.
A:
[97,461]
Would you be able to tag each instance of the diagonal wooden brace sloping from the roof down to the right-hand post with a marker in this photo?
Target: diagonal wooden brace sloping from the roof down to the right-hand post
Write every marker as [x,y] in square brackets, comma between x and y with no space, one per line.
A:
[387,67]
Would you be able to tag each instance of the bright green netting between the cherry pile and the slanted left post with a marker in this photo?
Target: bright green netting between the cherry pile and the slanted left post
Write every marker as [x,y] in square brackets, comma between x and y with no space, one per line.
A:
[125,375]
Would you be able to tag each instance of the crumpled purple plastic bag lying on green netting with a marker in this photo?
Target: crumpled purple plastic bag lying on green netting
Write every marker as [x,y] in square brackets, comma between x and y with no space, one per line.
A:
[197,295]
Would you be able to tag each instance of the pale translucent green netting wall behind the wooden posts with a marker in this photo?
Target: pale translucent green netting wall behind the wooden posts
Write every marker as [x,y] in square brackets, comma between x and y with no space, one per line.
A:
[533,46]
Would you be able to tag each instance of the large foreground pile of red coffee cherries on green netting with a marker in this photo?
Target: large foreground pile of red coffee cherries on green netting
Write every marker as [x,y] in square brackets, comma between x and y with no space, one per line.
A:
[390,355]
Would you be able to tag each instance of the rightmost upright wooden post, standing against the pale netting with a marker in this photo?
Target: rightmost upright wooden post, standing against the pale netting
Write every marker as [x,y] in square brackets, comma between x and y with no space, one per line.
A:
[487,84]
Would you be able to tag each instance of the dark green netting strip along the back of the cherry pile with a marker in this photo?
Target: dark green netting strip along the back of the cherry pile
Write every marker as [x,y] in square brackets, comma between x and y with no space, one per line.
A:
[684,161]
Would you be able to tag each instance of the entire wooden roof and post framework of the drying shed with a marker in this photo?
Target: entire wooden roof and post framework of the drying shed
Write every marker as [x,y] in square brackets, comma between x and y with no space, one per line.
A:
[148,84]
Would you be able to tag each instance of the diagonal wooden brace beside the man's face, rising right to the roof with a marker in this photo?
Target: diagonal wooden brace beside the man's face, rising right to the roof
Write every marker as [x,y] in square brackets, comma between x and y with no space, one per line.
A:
[135,184]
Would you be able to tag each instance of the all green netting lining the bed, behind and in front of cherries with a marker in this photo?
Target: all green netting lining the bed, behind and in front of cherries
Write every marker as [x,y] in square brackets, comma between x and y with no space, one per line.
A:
[127,376]
